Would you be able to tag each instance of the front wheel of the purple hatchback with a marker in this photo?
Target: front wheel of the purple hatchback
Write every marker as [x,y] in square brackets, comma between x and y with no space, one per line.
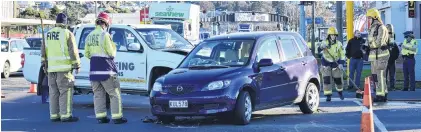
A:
[243,109]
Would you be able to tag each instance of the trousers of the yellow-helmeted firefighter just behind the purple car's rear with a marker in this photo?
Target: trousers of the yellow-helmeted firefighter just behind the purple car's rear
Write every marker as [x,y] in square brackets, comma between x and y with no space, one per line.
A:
[330,76]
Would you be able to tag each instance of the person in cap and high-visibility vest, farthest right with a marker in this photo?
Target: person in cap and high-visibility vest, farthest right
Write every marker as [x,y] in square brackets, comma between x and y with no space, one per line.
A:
[409,49]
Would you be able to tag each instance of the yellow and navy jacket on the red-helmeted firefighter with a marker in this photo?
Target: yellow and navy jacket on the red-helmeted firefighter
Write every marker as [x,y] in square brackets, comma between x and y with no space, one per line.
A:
[101,51]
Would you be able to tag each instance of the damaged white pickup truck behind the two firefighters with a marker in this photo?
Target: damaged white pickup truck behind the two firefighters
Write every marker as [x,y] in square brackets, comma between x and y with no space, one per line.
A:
[144,53]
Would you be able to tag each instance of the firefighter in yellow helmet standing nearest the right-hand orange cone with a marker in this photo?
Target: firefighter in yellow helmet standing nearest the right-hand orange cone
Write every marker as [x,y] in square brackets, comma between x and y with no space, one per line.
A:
[378,53]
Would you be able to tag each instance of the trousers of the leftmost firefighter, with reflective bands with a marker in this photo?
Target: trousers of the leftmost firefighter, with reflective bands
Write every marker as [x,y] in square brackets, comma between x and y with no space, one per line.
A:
[61,94]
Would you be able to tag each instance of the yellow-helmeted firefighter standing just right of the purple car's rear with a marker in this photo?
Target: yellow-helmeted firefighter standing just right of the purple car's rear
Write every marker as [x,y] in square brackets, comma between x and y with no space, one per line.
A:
[333,58]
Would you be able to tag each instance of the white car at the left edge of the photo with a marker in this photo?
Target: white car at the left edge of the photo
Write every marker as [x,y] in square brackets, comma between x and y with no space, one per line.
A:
[11,56]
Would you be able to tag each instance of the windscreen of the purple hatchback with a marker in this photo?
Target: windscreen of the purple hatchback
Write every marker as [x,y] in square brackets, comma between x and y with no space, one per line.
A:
[219,53]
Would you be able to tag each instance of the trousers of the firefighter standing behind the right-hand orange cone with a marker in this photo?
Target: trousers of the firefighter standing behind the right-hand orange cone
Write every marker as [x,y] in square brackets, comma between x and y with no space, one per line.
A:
[378,73]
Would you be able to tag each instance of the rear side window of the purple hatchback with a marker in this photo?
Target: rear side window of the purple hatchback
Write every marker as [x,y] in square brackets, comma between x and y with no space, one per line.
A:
[290,49]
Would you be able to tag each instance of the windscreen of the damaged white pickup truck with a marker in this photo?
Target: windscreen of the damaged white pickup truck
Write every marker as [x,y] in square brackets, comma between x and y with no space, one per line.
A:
[159,38]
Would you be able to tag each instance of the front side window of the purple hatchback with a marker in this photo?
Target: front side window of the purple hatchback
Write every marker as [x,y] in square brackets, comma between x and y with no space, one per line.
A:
[269,50]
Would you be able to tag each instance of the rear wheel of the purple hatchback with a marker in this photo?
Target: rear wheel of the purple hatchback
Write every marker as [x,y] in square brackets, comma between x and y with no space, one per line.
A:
[310,102]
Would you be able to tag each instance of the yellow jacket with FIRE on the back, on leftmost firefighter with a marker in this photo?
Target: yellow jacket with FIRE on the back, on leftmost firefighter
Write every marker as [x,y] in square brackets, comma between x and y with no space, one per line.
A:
[57,50]
